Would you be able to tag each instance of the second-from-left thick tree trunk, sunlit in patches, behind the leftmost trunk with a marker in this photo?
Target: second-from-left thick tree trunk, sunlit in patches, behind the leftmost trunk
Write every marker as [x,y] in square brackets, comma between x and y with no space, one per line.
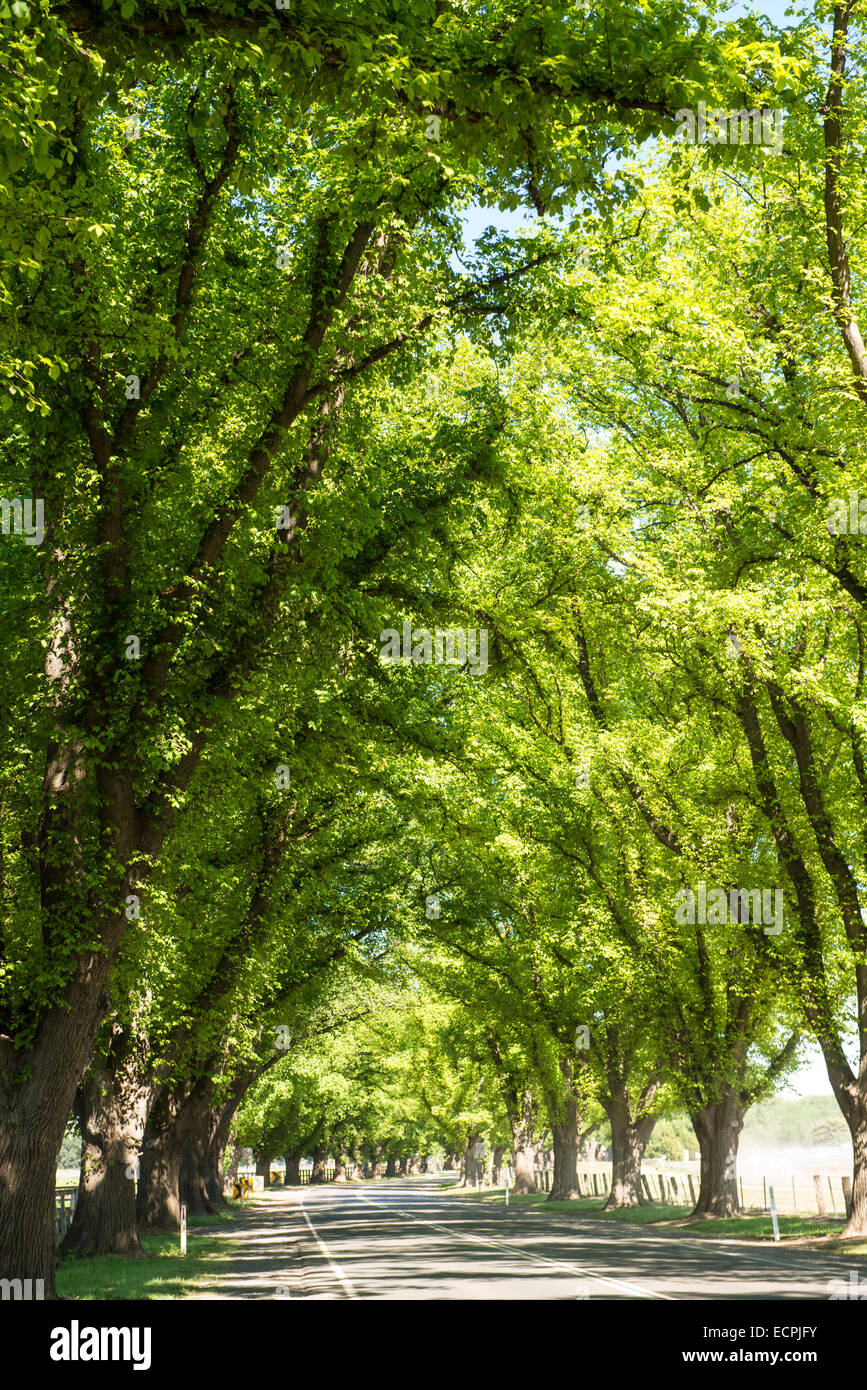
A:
[112,1109]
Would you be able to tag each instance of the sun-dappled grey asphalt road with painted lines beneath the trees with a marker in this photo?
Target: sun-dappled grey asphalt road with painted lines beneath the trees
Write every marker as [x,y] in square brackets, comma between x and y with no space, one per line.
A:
[408,1239]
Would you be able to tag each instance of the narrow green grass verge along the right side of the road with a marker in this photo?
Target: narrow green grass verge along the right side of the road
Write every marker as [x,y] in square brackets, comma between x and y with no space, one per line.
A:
[757,1228]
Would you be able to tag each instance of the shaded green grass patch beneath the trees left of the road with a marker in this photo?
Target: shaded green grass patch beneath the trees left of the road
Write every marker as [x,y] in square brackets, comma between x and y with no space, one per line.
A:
[163,1274]
